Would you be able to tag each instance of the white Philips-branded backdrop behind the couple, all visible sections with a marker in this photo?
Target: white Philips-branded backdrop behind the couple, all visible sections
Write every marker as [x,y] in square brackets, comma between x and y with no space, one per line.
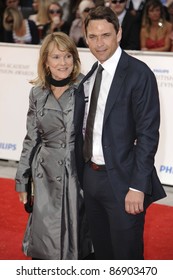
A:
[18,65]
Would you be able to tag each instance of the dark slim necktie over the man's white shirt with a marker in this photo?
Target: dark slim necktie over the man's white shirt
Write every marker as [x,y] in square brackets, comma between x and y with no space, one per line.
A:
[88,143]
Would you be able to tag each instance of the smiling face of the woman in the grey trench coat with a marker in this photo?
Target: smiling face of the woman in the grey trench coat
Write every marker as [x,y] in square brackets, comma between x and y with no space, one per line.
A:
[60,63]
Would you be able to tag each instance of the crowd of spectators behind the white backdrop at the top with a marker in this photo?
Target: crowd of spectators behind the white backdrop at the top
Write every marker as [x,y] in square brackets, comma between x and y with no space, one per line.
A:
[146,24]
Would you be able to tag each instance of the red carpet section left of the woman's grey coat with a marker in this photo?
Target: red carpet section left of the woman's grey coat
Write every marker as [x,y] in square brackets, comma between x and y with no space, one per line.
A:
[13,220]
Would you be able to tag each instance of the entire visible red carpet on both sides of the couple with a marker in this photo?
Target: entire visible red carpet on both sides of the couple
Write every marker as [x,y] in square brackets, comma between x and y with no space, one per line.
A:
[158,230]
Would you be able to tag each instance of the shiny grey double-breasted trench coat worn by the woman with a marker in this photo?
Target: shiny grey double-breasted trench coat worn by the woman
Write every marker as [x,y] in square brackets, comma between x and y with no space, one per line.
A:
[57,228]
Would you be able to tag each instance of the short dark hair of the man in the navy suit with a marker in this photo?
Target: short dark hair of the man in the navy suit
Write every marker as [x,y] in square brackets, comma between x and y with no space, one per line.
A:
[102,12]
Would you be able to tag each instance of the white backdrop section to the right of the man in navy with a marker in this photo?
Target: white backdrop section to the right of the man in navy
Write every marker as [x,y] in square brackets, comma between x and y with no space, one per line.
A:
[162,66]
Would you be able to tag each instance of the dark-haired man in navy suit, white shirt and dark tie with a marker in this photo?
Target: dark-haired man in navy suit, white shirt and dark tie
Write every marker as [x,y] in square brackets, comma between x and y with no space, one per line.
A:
[119,179]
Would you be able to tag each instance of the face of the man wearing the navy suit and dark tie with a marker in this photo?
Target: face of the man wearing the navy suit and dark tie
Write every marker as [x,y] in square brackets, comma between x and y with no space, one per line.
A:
[102,39]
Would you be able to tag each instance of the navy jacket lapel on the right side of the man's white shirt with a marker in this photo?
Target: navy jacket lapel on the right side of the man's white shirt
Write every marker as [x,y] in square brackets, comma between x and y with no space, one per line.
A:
[117,83]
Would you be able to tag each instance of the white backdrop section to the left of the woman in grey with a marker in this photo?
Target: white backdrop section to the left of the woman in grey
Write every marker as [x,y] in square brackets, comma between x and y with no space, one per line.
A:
[18,65]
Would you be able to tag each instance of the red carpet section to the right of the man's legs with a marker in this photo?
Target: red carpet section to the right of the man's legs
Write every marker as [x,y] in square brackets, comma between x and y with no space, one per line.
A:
[159,233]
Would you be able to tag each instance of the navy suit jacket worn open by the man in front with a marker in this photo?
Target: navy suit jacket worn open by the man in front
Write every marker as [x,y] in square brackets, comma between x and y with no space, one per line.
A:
[130,132]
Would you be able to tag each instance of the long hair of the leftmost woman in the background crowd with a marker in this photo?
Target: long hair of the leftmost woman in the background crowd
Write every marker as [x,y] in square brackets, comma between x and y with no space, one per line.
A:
[15,15]
